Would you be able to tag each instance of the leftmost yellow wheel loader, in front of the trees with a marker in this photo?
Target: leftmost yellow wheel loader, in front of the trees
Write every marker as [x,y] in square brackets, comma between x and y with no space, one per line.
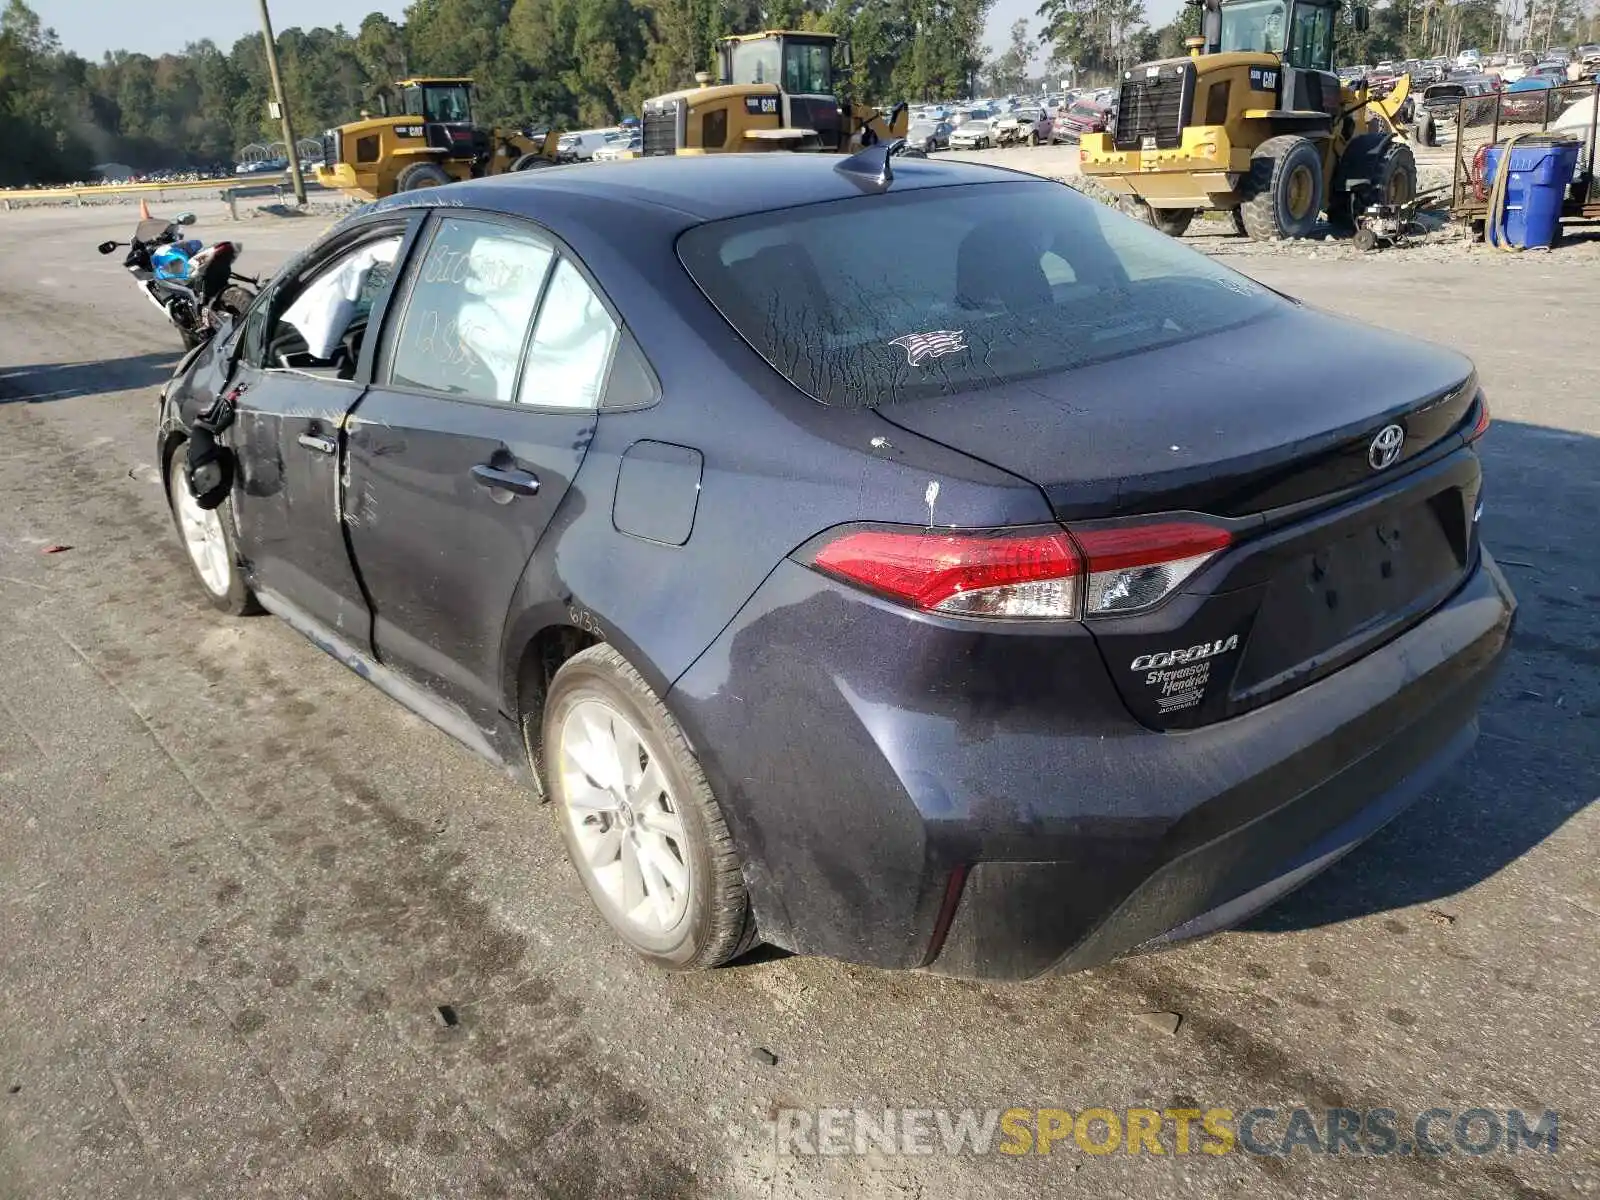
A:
[430,142]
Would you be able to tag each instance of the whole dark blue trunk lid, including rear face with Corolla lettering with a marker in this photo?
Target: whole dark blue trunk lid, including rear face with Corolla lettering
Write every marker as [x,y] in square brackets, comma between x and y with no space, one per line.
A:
[1276,430]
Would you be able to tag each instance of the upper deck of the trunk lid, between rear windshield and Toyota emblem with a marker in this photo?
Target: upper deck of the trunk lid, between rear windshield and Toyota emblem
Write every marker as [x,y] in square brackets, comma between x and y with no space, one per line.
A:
[1279,410]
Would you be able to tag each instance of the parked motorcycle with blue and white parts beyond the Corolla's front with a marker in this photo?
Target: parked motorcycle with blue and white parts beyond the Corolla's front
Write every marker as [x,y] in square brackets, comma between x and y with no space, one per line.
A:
[194,286]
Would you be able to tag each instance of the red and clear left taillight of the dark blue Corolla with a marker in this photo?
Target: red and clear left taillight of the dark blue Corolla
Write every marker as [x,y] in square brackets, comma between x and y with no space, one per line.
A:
[1033,574]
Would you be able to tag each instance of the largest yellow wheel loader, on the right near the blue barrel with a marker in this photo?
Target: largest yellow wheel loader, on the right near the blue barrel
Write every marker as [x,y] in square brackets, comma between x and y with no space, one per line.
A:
[1254,122]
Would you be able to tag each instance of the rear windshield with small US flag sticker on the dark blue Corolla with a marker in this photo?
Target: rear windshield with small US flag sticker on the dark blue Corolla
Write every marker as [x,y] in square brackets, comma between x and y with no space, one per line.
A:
[946,290]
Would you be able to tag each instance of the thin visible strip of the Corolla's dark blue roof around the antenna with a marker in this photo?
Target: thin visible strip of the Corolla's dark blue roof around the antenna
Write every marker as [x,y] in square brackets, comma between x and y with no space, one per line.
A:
[722,185]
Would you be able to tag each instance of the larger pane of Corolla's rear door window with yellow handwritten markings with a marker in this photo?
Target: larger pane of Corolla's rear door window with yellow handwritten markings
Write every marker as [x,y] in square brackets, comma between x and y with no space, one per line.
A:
[468,314]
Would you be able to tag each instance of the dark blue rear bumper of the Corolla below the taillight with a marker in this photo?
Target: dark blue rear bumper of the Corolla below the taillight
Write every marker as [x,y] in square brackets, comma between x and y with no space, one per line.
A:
[911,793]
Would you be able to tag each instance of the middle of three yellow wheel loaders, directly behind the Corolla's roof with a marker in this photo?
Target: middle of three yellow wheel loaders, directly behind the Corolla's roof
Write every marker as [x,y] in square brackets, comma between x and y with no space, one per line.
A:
[775,94]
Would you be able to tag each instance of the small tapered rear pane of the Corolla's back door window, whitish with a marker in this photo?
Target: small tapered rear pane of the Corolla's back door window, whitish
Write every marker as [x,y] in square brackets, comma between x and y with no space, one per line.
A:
[572,345]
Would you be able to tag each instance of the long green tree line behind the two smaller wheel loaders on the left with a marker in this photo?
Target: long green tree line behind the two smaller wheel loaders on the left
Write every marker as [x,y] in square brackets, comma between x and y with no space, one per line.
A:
[567,63]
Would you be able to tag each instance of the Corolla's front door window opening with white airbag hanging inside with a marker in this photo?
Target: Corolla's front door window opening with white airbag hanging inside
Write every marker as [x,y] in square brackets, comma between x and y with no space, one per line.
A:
[326,324]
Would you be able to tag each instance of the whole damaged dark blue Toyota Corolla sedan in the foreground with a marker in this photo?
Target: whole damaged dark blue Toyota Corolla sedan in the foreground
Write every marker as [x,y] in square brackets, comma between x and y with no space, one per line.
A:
[1041,596]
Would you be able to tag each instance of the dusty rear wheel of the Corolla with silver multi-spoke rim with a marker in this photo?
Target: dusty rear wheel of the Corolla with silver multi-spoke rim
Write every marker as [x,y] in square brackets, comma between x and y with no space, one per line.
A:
[641,823]
